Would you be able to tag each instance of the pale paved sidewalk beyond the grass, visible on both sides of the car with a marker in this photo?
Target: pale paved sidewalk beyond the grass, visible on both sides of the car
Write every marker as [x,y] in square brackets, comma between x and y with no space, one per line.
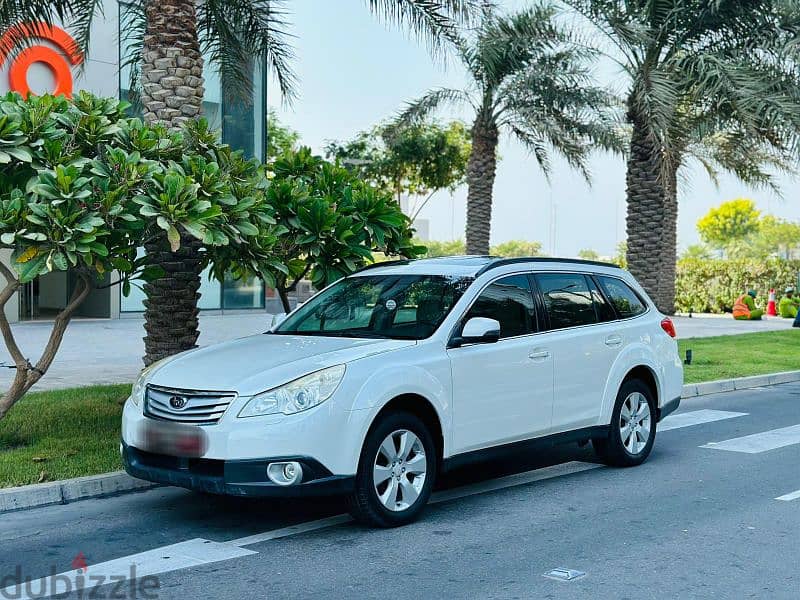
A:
[110,351]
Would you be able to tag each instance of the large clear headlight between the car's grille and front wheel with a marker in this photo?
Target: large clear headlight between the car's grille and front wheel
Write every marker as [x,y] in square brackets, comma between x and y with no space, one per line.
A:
[296,396]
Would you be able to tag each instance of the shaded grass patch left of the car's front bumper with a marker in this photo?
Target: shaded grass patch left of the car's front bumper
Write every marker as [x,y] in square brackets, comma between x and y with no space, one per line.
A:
[62,434]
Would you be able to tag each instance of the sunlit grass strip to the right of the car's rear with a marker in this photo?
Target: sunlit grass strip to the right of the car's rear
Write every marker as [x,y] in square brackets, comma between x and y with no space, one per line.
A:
[728,356]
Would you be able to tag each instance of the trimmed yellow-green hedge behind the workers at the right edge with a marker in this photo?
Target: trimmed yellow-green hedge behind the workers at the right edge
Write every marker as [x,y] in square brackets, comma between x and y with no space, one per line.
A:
[712,285]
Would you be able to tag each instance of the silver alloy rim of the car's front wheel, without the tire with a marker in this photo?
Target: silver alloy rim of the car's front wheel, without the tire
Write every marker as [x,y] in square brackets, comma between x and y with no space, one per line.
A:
[399,470]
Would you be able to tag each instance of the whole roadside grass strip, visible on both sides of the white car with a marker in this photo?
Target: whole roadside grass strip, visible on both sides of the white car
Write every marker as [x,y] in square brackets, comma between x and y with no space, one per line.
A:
[69,433]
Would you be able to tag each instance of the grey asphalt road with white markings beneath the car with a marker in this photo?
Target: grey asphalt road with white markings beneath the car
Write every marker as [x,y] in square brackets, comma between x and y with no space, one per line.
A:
[695,521]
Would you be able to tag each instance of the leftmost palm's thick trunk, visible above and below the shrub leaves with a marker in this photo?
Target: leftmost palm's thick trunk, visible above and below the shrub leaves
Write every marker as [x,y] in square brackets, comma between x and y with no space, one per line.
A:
[172,93]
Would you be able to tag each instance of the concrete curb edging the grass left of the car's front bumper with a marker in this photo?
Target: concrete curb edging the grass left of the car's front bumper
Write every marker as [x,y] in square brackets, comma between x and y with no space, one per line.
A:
[69,490]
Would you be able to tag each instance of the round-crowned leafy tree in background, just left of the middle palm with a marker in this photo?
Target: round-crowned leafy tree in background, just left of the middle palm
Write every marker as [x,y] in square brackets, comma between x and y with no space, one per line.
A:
[417,159]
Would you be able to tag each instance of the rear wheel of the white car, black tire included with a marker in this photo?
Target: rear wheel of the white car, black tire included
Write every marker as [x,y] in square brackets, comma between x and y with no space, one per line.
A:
[632,432]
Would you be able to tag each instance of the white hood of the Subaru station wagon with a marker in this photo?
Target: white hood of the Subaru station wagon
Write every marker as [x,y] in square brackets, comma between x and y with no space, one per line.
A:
[257,363]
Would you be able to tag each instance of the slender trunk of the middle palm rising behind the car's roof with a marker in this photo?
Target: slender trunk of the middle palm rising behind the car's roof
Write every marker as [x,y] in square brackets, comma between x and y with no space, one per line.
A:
[481,169]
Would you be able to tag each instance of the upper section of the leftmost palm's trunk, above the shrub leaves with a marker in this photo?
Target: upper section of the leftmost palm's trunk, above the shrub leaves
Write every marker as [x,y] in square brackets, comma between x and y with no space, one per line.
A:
[172,66]
